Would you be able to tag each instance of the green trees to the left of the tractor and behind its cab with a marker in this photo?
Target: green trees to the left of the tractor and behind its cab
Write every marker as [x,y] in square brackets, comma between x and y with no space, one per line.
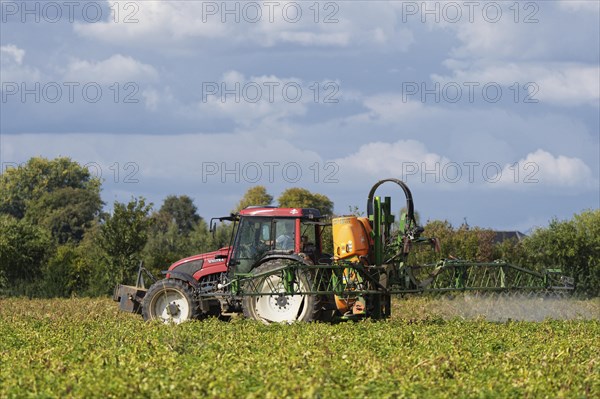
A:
[56,239]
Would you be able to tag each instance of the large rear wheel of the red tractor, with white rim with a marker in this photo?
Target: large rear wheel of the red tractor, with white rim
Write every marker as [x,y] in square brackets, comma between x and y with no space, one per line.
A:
[279,308]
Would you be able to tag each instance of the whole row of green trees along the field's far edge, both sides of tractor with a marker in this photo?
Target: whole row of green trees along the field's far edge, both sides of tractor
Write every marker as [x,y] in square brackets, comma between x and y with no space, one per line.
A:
[56,239]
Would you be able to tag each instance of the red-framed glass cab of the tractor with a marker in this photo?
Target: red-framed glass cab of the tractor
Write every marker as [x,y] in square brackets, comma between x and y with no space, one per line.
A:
[267,232]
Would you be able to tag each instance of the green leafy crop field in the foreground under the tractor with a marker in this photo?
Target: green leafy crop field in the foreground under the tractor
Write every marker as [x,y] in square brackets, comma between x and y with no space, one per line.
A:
[430,348]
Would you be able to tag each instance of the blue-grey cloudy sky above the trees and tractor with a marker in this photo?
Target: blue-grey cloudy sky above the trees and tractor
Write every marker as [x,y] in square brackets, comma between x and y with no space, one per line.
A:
[488,110]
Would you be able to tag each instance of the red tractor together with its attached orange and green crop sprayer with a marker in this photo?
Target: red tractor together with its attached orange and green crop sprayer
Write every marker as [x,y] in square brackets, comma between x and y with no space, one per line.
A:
[275,269]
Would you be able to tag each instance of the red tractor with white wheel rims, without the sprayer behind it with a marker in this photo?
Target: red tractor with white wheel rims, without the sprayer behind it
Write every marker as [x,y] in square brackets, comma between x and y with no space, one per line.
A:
[264,238]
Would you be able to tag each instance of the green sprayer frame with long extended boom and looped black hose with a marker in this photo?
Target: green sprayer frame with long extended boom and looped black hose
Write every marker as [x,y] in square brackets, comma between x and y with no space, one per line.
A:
[385,273]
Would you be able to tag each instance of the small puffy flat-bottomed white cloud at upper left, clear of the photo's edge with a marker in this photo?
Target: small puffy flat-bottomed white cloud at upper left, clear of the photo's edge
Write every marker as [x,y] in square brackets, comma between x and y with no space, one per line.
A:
[117,68]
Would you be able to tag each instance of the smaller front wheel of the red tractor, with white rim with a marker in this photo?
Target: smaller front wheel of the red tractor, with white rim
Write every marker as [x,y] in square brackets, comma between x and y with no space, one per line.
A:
[170,301]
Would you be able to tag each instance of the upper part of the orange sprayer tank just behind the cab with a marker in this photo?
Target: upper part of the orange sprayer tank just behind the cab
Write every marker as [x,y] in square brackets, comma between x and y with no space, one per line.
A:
[351,237]
